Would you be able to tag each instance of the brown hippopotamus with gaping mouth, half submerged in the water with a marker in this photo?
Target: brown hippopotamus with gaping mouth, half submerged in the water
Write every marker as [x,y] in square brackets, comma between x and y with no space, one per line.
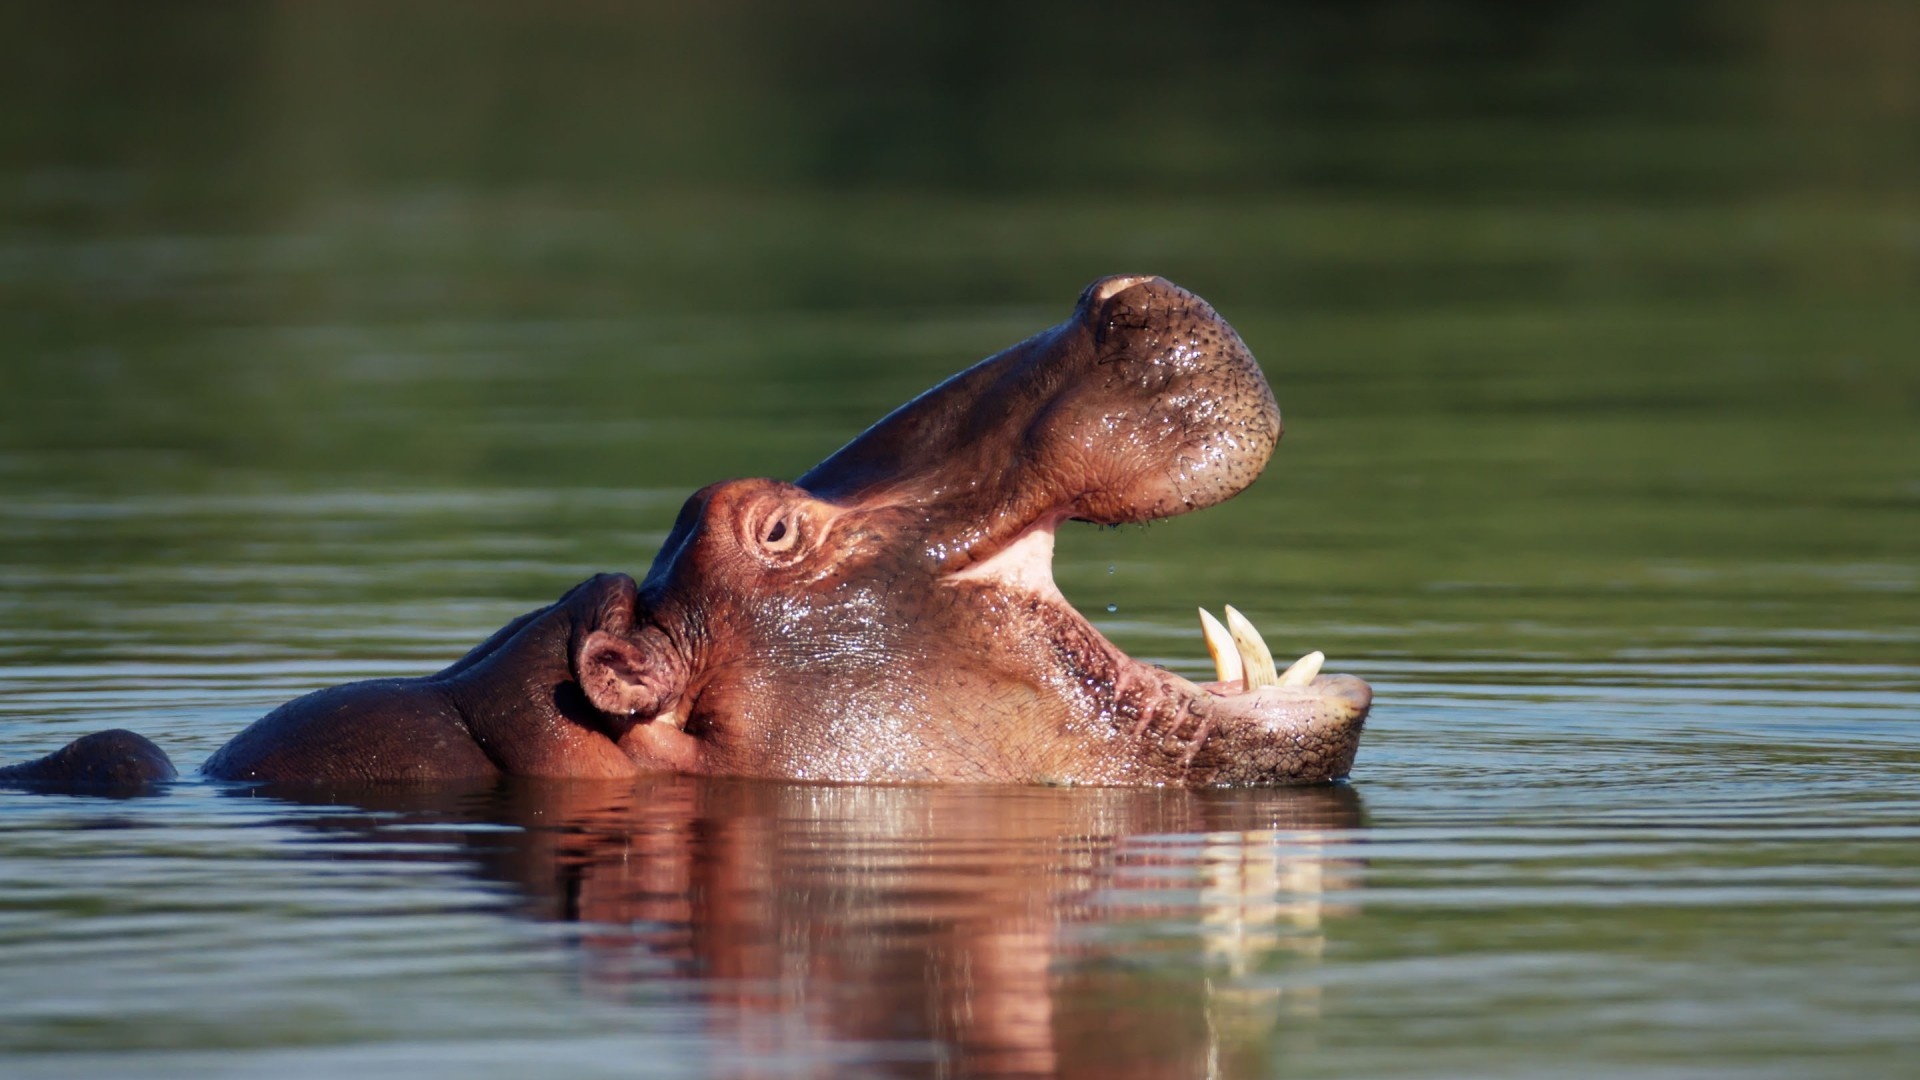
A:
[892,616]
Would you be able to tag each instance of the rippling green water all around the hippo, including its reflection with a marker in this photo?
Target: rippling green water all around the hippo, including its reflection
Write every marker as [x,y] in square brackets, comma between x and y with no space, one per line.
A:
[333,337]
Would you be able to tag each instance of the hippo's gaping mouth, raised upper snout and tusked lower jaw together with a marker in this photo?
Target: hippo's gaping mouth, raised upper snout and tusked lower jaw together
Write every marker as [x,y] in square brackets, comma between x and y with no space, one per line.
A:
[1143,405]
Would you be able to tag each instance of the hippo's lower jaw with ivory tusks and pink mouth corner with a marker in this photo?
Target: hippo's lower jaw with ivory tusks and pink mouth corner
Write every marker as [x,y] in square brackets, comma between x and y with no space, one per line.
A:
[1251,725]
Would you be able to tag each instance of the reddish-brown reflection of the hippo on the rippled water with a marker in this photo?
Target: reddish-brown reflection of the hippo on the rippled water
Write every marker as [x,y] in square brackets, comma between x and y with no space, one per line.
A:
[873,931]
